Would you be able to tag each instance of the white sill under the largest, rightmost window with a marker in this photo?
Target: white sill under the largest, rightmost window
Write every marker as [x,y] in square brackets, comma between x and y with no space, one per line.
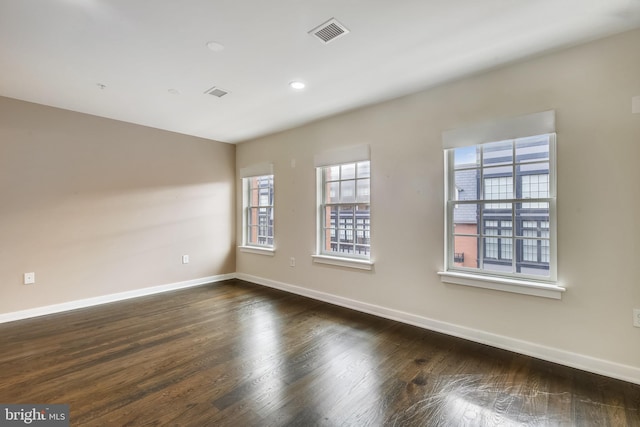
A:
[525,287]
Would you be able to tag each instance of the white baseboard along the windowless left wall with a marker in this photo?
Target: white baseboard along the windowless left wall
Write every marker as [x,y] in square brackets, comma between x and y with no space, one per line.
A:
[83,303]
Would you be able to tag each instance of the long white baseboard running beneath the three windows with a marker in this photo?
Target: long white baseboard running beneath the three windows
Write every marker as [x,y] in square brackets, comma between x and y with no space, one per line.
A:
[562,357]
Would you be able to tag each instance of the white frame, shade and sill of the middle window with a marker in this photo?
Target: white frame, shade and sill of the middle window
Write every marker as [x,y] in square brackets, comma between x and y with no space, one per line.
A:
[340,157]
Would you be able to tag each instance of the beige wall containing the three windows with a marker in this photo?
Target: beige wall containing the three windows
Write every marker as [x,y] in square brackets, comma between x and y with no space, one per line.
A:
[590,87]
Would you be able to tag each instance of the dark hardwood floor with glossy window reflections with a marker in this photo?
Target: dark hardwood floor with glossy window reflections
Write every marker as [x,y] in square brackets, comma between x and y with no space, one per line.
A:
[238,354]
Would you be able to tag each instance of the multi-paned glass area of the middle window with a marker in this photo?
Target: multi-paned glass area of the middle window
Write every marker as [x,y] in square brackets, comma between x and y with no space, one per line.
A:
[345,210]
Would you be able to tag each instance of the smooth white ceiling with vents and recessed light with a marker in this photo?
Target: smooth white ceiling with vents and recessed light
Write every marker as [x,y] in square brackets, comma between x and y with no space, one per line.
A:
[59,52]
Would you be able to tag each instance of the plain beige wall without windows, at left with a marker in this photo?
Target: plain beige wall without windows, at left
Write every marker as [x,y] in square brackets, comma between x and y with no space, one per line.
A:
[96,207]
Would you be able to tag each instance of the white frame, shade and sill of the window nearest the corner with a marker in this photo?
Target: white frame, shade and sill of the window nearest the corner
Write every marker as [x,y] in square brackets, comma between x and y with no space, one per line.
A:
[247,174]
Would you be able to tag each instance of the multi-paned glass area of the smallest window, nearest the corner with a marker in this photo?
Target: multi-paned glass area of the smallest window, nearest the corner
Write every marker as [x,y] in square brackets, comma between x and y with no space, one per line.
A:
[258,215]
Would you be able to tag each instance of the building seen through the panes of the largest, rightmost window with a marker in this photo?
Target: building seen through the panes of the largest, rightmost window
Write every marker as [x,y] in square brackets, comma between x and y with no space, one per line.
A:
[510,234]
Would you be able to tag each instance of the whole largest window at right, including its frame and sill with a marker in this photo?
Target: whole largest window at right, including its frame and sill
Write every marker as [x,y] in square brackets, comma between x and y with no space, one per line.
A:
[502,233]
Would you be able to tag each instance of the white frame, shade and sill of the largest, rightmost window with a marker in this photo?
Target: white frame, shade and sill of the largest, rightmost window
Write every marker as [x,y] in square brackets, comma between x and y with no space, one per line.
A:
[509,129]
